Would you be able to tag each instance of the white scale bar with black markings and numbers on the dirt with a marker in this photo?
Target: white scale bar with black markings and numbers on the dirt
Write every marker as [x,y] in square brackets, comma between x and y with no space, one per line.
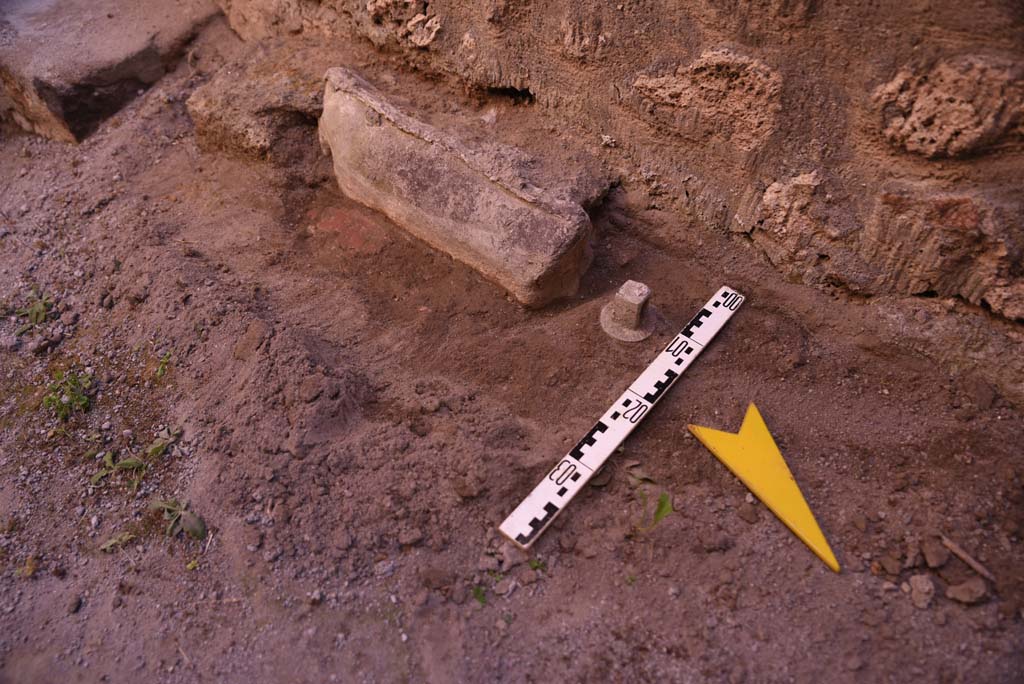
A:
[558,489]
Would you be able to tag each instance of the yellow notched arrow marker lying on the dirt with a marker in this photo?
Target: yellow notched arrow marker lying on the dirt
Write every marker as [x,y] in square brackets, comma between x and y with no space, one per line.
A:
[754,458]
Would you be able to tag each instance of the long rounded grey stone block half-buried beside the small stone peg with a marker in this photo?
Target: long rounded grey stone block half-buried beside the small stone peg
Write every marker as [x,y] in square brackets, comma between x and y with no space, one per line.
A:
[475,204]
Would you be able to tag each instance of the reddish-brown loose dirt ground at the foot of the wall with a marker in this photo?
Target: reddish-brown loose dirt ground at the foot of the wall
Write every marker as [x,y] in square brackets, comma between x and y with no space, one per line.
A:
[358,414]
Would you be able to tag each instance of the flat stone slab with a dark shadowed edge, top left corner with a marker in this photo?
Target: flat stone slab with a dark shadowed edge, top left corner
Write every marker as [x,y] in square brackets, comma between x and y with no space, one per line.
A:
[68,65]
